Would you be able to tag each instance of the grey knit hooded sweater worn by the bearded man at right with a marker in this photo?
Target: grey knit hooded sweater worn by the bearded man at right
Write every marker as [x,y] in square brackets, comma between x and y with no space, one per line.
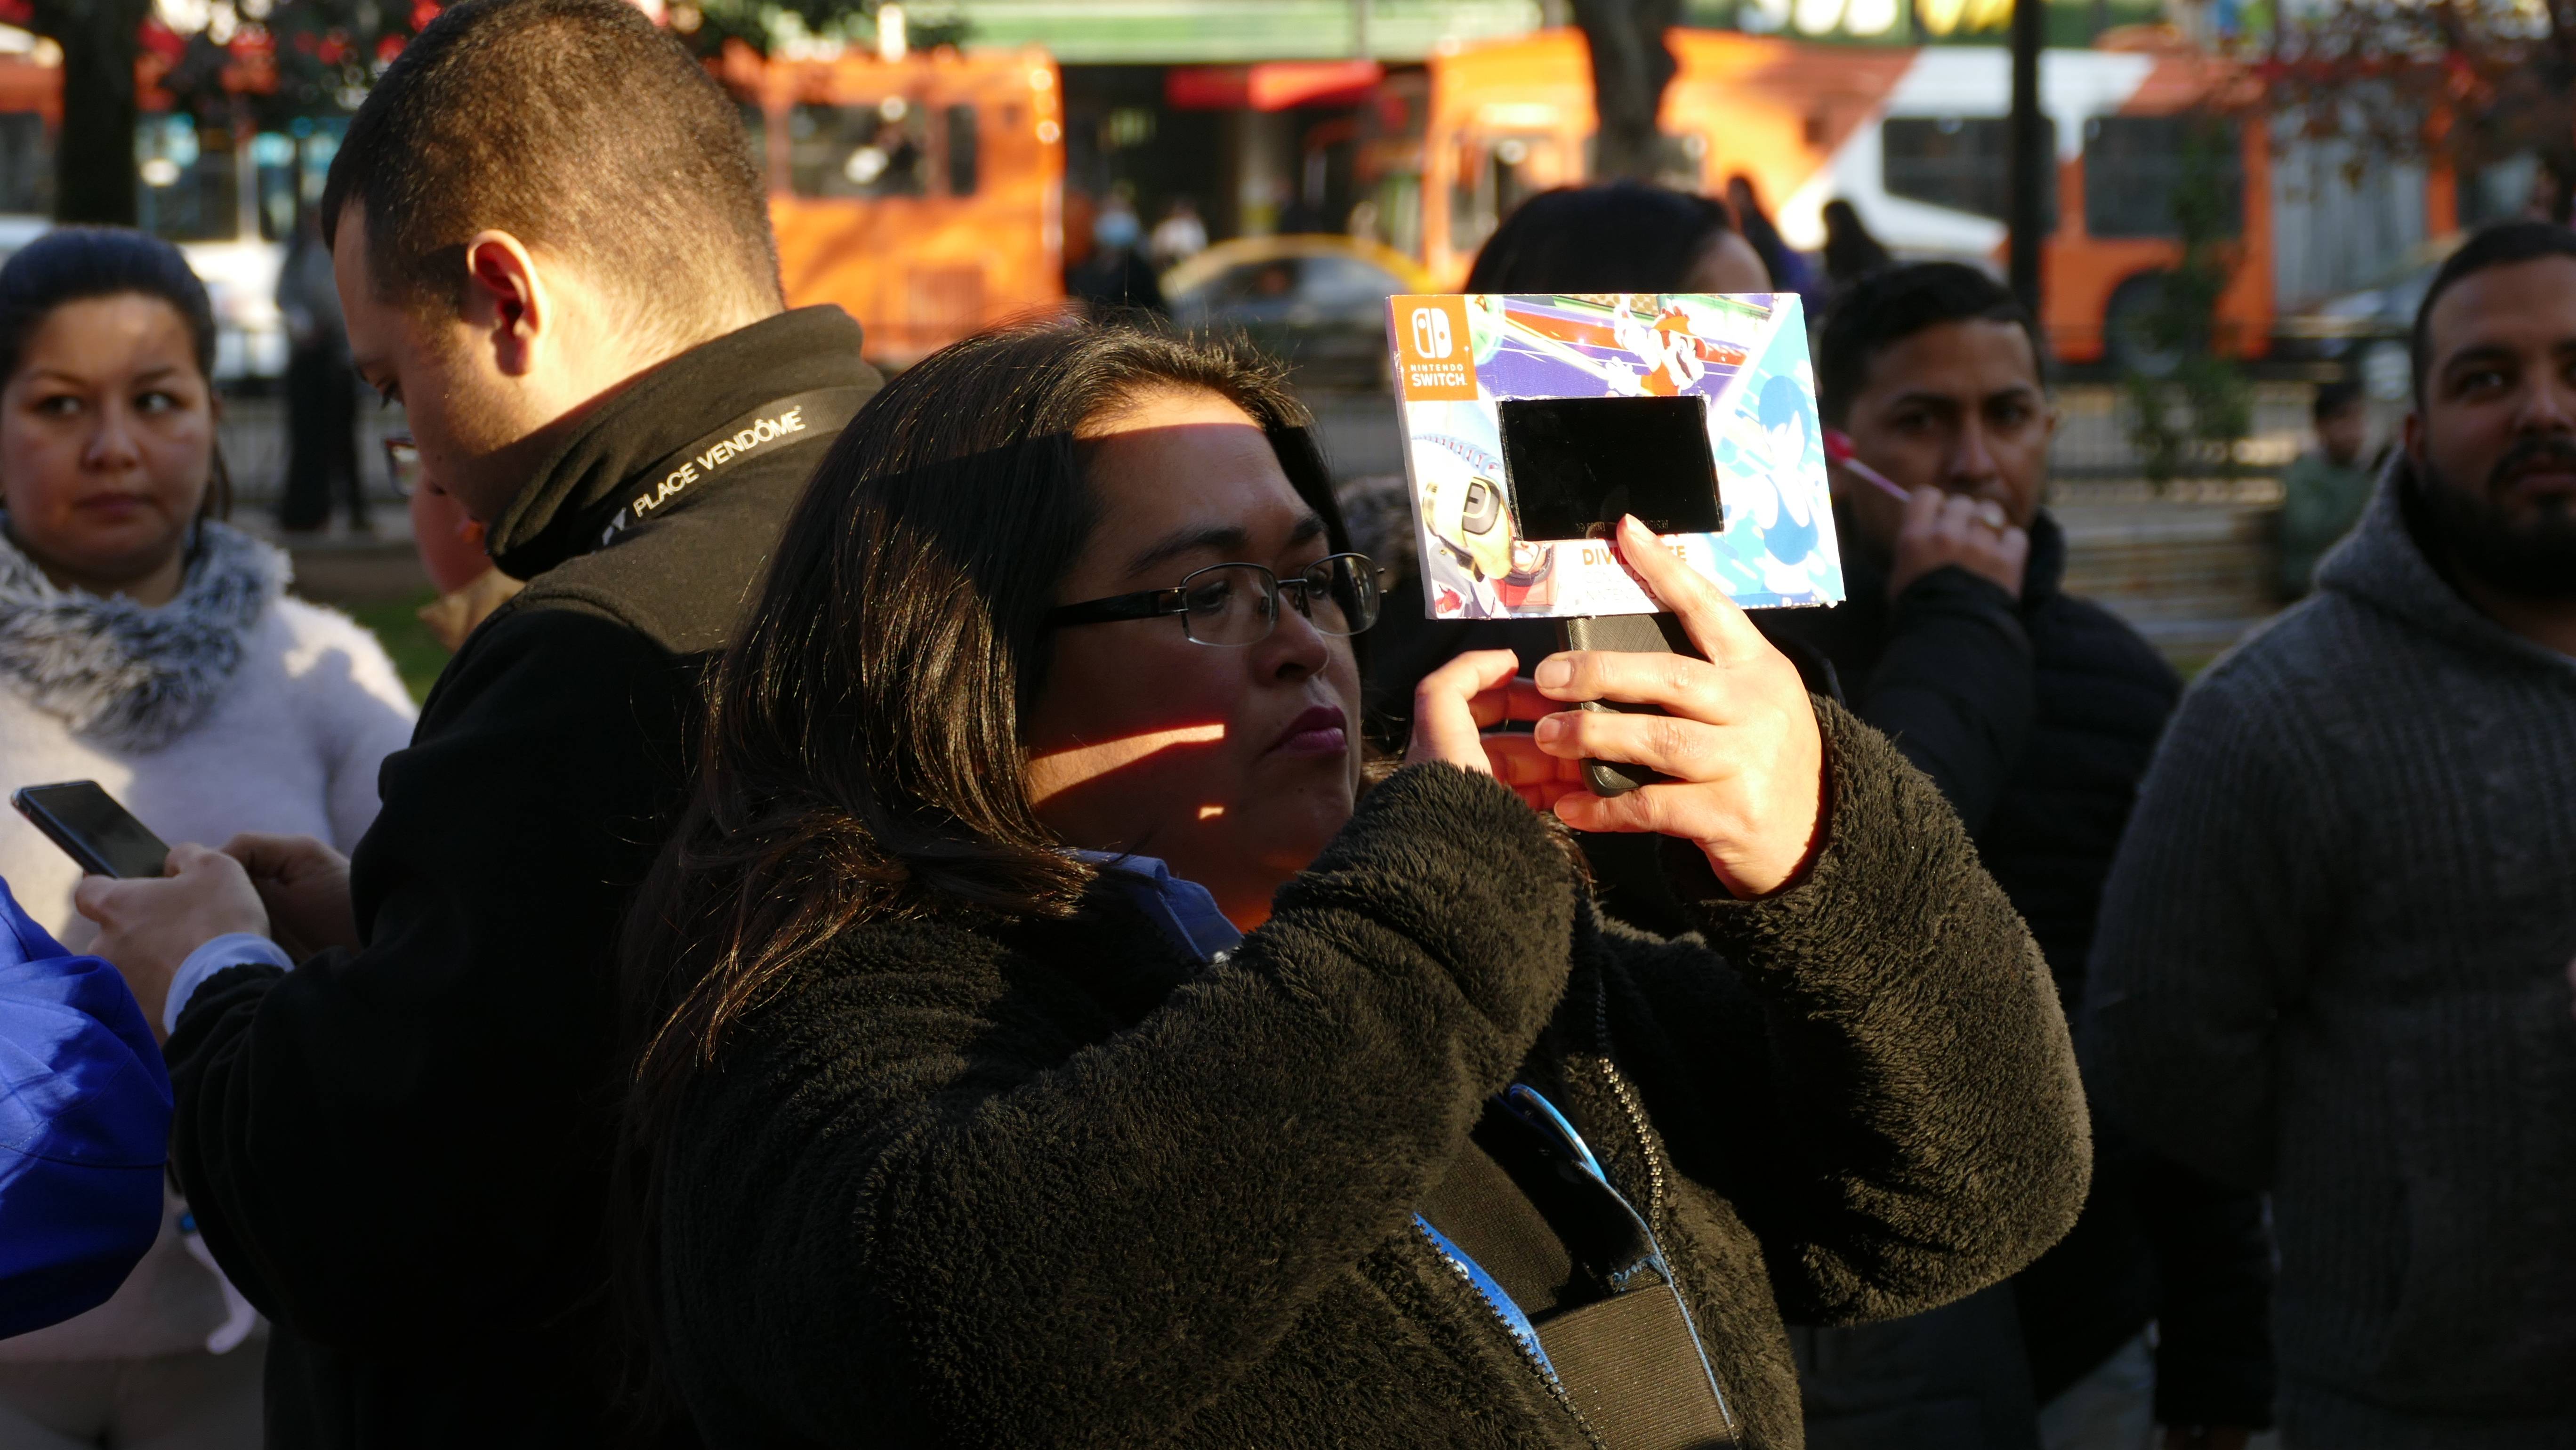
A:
[2335,965]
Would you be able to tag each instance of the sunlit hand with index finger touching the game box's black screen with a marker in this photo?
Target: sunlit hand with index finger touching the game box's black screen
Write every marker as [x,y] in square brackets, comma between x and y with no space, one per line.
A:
[1738,733]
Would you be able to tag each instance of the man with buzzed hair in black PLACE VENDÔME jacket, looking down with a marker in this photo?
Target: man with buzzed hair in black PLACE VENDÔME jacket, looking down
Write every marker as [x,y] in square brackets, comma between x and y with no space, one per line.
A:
[553,246]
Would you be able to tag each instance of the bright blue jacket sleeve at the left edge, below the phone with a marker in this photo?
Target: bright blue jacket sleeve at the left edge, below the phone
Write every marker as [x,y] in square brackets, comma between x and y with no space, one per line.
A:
[84,1127]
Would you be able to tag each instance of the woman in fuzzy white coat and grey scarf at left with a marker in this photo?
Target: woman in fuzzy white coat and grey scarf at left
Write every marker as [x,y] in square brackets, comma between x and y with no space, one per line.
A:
[151,648]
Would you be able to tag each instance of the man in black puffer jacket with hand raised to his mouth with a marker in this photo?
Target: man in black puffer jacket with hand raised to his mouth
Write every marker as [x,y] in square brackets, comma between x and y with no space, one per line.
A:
[2036,715]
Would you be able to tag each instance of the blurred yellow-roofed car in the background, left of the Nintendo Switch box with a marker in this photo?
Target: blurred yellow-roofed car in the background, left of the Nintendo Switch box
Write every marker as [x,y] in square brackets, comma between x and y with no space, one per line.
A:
[1315,300]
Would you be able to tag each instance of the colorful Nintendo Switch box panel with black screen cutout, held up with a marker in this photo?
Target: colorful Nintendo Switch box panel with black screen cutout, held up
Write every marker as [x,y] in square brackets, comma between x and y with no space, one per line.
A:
[1534,421]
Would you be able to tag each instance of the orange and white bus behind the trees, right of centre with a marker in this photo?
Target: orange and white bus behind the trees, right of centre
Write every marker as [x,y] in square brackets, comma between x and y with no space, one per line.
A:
[1913,138]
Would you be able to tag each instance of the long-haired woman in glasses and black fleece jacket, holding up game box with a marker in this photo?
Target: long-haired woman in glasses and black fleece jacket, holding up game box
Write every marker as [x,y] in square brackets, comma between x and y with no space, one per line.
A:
[1055,1029]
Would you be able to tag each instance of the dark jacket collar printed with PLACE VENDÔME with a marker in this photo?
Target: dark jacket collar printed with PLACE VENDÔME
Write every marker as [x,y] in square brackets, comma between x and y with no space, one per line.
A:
[571,496]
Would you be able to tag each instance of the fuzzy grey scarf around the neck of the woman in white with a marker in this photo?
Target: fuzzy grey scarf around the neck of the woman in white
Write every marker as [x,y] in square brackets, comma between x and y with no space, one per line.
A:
[125,676]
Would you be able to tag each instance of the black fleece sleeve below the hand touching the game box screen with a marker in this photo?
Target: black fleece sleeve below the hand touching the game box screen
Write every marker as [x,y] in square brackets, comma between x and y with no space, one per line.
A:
[1879,1075]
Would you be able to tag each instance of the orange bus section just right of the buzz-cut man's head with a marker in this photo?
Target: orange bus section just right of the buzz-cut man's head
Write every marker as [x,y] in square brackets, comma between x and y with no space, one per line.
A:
[923,194]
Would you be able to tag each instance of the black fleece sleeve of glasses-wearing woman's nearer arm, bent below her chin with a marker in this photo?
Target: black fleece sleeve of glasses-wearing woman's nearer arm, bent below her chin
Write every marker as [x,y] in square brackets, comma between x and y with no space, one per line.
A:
[913,1209]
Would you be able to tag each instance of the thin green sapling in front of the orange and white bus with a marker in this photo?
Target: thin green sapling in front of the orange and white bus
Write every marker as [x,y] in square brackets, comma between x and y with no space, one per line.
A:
[2191,413]
